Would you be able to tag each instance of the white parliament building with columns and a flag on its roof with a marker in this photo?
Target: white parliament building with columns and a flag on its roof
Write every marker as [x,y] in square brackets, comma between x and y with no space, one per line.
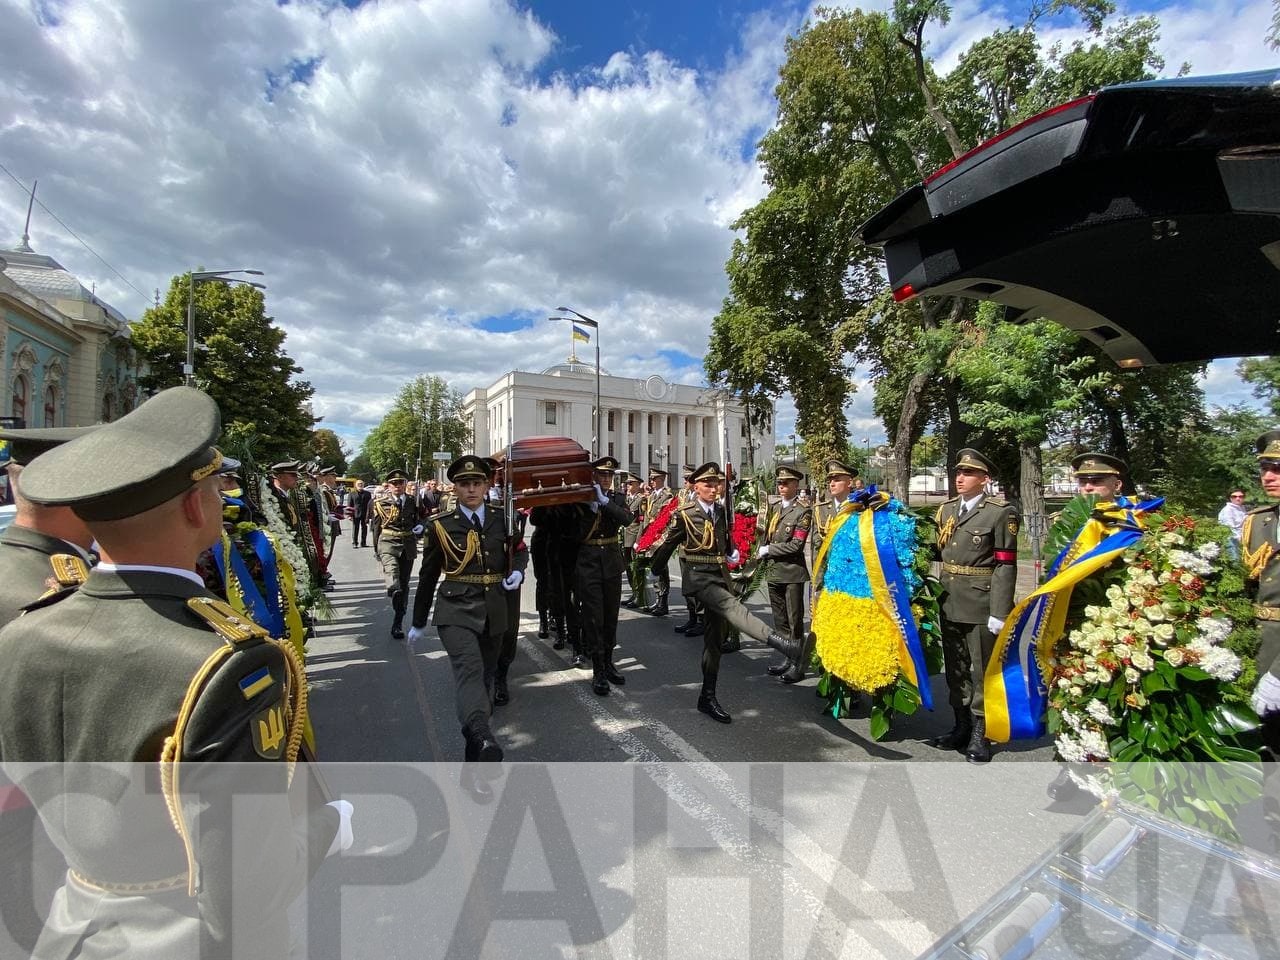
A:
[646,423]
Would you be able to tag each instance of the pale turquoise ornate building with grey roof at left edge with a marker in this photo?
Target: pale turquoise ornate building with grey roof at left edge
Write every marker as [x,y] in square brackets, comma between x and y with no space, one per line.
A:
[68,359]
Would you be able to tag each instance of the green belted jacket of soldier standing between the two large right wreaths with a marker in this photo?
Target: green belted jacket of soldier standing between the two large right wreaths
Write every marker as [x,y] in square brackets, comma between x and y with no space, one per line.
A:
[985,540]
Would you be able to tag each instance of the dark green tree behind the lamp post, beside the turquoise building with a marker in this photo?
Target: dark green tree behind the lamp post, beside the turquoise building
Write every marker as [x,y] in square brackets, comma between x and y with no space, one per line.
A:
[241,363]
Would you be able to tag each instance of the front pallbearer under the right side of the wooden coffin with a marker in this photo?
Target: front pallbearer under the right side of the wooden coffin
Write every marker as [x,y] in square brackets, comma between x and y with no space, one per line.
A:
[600,575]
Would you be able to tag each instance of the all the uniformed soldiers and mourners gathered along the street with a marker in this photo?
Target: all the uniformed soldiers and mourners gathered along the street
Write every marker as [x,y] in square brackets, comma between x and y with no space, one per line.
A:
[136,625]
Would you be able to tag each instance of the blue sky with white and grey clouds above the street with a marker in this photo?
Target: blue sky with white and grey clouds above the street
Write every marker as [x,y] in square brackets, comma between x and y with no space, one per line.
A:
[423,182]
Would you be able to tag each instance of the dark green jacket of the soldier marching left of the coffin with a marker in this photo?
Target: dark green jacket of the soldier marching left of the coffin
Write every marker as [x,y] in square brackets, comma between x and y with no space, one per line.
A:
[459,604]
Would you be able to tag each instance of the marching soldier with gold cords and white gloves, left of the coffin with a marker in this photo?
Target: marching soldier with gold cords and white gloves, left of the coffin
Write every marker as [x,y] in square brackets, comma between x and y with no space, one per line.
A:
[465,554]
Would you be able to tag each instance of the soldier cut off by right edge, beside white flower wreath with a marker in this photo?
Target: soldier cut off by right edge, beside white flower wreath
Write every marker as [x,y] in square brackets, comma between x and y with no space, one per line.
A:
[1260,552]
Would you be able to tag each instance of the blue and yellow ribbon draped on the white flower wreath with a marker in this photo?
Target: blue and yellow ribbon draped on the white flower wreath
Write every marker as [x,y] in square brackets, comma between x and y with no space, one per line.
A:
[1016,687]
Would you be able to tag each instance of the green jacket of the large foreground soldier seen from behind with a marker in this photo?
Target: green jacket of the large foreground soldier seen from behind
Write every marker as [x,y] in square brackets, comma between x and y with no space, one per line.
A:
[102,676]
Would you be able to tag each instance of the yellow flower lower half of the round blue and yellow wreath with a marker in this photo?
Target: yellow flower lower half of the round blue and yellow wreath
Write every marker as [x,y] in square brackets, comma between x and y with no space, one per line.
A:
[857,641]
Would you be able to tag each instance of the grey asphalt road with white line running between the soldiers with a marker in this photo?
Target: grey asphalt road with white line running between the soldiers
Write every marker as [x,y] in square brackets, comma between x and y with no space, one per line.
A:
[784,834]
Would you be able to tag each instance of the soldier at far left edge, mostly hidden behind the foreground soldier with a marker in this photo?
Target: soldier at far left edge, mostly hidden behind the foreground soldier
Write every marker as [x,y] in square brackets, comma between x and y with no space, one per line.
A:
[47,548]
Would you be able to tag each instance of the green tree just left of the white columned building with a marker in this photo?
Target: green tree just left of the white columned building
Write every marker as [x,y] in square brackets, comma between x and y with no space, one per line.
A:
[427,417]
